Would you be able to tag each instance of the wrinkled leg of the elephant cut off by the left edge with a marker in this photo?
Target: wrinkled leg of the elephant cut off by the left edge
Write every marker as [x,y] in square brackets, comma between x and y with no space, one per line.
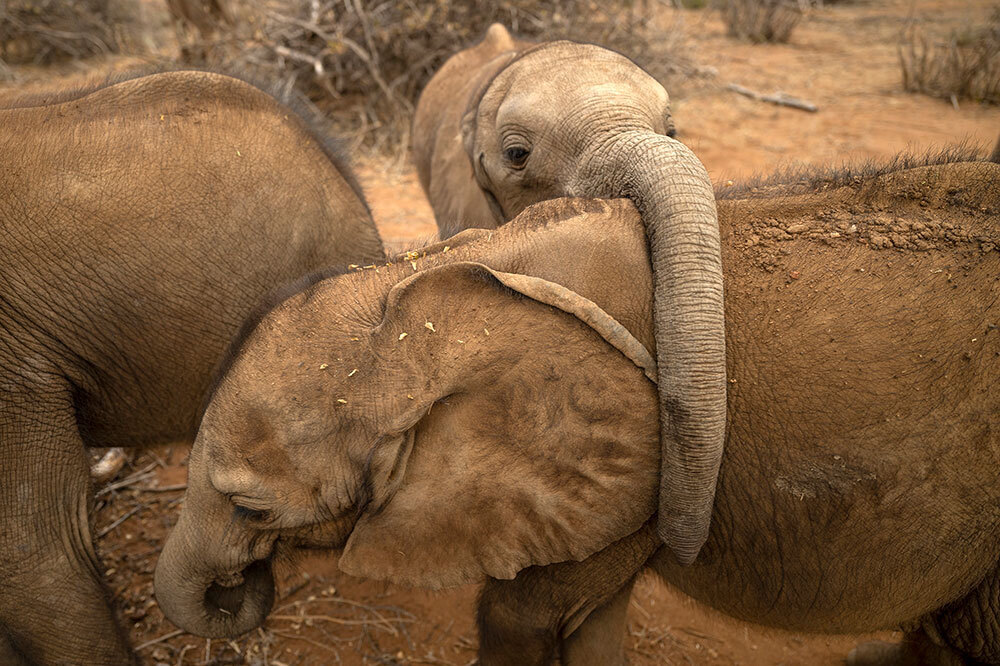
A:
[53,606]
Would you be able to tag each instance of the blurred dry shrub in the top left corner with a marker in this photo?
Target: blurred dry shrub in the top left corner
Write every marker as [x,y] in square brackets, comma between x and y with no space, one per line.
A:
[42,31]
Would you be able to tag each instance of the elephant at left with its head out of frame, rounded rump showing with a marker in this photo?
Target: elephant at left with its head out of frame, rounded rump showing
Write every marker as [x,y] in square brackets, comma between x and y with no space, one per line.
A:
[141,223]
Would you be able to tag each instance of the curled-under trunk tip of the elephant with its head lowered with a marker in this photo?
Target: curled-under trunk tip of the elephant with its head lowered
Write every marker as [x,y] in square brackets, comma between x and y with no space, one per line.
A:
[207,593]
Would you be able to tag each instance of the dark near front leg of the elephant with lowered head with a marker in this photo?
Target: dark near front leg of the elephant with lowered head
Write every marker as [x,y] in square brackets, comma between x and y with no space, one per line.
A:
[526,620]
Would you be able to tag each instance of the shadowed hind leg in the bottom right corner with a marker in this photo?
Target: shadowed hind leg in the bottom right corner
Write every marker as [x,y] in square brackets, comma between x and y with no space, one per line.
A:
[966,631]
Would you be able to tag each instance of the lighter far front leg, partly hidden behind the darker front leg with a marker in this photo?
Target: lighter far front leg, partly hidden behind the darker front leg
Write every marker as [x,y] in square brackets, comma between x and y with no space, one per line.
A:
[598,640]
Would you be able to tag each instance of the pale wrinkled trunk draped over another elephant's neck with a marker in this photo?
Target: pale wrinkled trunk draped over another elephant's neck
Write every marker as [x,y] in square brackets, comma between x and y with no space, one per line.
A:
[672,191]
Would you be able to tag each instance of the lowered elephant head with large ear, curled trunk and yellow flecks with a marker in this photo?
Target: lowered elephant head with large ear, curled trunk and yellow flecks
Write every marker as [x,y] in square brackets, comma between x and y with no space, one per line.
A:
[438,426]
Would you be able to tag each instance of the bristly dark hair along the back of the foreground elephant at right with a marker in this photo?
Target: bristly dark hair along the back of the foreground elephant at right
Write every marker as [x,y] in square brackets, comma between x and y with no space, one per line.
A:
[804,179]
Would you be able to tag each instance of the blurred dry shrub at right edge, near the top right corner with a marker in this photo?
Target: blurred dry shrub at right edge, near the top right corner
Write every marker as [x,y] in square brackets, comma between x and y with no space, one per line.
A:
[964,66]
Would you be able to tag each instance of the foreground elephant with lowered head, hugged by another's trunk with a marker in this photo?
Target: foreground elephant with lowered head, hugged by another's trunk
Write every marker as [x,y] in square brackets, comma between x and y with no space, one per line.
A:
[481,414]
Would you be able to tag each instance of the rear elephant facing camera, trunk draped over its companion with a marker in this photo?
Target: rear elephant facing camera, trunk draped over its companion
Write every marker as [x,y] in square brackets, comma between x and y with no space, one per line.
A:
[569,119]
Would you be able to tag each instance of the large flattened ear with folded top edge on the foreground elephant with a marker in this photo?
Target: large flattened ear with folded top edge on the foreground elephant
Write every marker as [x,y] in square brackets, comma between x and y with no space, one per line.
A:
[534,430]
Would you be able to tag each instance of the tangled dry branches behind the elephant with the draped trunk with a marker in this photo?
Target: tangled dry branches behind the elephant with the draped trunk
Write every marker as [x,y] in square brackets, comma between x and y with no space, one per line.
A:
[371,59]
